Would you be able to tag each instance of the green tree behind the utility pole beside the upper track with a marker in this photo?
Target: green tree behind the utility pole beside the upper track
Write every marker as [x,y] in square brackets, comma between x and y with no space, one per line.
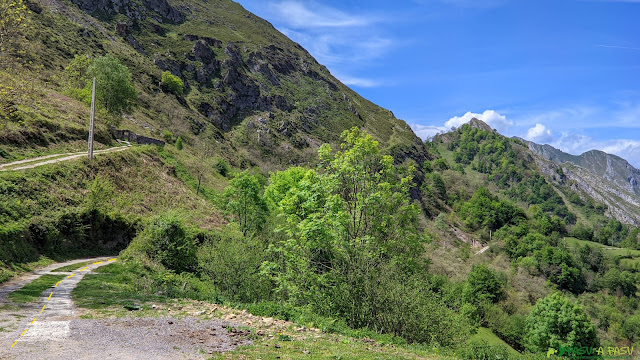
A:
[113,89]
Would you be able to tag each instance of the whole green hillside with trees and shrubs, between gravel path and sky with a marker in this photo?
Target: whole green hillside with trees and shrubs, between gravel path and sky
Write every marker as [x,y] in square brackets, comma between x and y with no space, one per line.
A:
[283,192]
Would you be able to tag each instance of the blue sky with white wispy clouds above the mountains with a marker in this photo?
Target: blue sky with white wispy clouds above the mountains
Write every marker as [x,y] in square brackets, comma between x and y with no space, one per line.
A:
[562,72]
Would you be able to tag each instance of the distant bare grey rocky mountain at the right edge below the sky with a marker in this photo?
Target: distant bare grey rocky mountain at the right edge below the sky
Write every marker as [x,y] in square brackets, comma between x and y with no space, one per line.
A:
[606,178]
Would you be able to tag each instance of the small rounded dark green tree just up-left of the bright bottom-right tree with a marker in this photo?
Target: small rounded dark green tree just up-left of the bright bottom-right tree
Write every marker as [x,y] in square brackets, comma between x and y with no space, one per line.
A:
[482,285]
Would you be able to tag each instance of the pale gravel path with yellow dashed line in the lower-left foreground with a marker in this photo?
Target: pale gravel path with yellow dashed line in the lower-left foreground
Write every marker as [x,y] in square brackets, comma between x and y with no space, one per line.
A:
[57,333]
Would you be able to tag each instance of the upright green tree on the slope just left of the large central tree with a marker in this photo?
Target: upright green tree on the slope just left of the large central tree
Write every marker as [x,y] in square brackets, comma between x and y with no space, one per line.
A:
[245,202]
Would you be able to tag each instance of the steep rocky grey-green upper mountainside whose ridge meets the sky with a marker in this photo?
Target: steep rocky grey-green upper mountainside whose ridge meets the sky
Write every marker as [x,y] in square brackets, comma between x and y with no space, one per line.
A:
[245,78]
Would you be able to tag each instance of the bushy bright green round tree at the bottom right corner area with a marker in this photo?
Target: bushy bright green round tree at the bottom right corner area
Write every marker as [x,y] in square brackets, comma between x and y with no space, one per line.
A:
[555,321]
